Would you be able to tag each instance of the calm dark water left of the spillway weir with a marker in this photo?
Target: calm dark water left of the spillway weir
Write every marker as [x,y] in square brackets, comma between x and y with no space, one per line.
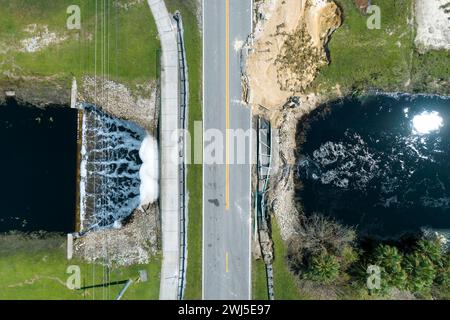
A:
[38,162]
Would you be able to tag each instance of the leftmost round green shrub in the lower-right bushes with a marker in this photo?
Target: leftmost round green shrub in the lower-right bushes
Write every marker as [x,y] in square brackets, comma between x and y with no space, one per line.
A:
[323,268]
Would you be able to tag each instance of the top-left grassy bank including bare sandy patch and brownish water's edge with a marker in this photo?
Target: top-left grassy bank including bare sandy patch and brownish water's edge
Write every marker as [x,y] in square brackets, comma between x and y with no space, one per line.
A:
[40,54]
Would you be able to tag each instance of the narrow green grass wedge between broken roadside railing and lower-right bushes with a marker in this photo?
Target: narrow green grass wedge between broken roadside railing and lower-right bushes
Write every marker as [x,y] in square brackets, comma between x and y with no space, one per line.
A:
[285,283]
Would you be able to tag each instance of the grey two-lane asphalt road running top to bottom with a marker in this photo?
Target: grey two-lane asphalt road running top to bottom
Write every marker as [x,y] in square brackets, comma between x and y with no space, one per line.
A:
[226,188]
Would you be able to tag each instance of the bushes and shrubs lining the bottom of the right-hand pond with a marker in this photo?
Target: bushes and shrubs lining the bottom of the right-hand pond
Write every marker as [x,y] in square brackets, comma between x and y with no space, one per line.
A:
[330,262]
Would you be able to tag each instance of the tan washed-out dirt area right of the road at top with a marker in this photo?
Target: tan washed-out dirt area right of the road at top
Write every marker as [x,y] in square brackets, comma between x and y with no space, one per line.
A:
[289,48]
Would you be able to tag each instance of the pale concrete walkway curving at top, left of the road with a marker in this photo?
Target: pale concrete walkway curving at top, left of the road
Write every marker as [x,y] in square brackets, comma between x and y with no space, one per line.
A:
[169,200]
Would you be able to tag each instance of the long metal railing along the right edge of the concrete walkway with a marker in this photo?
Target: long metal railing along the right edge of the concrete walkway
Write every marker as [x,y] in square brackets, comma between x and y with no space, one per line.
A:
[183,83]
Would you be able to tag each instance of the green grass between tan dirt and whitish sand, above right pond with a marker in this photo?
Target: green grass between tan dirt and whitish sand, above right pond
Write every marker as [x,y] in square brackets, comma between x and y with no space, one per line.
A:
[361,57]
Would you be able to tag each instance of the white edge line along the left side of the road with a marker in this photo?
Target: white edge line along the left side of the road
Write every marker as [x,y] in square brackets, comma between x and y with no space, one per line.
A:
[203,145]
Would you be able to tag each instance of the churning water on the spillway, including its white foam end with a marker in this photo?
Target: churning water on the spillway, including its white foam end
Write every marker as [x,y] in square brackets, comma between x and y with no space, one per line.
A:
[118,169]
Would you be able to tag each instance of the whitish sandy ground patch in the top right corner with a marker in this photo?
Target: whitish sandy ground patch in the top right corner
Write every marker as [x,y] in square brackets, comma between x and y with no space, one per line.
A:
[433,24]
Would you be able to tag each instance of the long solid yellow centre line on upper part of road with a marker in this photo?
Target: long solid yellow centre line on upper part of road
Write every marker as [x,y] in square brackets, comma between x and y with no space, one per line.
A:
[227,104]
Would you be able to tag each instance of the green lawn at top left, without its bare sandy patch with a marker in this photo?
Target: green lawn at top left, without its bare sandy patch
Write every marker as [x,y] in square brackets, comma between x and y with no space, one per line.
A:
[119,43]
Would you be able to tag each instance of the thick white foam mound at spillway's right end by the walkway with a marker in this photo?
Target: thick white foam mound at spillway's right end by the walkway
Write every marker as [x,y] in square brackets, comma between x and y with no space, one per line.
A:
[149,171]
